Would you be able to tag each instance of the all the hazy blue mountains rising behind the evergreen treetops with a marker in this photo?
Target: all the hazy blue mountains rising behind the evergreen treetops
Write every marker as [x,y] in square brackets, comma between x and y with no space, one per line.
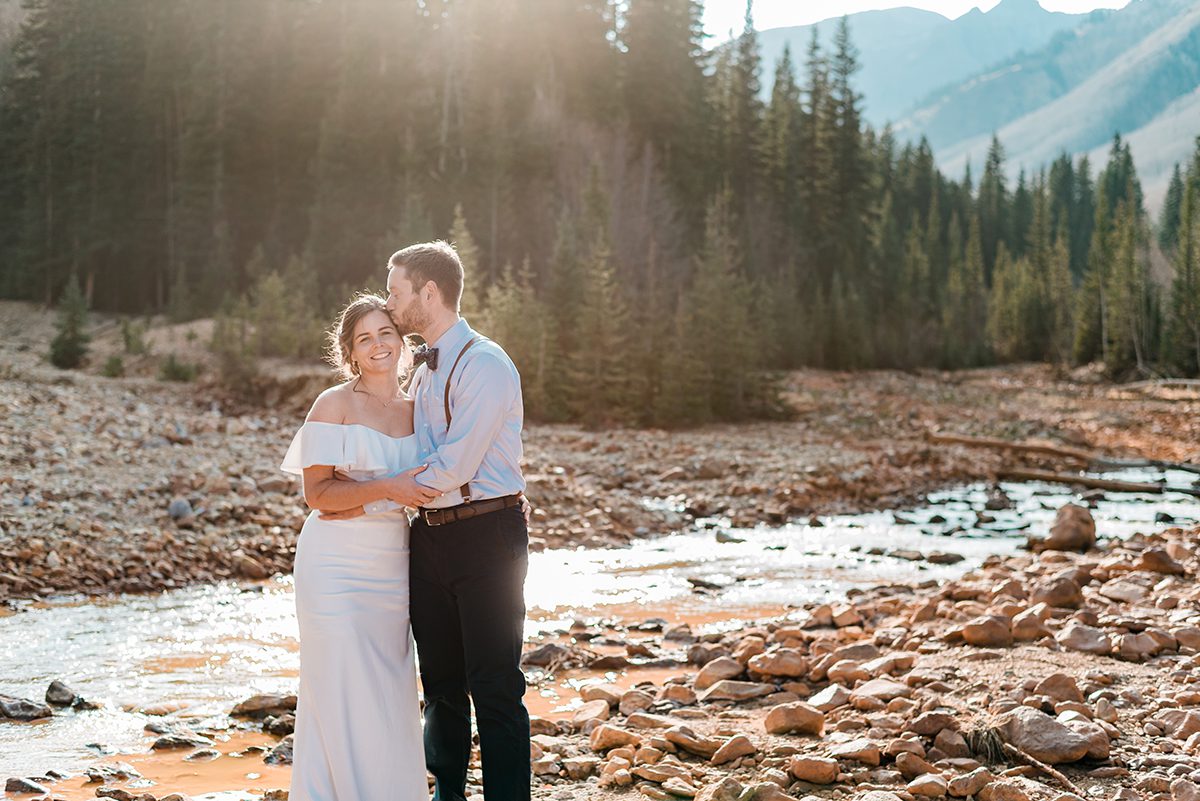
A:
[1046,83]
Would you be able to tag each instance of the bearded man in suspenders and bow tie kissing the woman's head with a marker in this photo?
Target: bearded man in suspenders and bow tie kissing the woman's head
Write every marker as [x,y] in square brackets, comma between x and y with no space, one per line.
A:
[470,545]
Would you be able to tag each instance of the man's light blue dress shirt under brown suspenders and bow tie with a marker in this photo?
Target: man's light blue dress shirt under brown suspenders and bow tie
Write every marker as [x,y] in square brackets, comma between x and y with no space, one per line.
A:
[483,445]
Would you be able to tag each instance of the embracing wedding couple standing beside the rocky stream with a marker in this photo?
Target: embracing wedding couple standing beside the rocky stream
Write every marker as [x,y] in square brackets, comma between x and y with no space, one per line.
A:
[449,448]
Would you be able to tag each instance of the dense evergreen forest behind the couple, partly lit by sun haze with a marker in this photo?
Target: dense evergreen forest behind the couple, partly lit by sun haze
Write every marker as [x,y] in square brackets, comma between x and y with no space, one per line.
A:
[653,228]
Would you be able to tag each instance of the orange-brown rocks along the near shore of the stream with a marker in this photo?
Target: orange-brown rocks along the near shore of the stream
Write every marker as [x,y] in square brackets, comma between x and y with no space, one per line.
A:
[1058,674]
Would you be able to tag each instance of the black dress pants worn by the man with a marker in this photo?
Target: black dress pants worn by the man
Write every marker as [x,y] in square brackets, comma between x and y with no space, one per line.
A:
[467,609]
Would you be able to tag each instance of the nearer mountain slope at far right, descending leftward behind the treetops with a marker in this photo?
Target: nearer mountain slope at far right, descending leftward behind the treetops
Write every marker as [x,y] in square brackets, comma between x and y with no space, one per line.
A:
[1136,71]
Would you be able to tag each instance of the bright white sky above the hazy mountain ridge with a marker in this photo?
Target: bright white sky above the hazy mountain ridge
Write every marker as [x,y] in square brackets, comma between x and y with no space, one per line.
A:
[723,16]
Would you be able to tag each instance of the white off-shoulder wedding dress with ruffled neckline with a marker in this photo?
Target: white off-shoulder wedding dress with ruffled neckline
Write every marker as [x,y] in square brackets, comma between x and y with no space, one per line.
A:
[358,734]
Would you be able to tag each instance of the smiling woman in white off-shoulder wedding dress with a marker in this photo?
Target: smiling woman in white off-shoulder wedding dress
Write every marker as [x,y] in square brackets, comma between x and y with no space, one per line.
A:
[358,734]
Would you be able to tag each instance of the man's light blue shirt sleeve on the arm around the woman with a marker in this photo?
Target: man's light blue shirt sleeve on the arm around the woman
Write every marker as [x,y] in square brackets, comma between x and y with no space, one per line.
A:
[488,390]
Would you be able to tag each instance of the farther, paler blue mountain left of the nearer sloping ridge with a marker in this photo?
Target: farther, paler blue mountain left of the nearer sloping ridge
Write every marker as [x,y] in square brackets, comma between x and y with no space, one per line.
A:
[907,53]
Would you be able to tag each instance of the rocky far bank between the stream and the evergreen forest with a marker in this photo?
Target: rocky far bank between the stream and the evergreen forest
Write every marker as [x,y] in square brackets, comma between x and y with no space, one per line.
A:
[117,485]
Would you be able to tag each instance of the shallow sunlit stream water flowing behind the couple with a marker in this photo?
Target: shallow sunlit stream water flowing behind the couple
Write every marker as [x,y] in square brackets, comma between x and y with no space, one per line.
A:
[197,652]
